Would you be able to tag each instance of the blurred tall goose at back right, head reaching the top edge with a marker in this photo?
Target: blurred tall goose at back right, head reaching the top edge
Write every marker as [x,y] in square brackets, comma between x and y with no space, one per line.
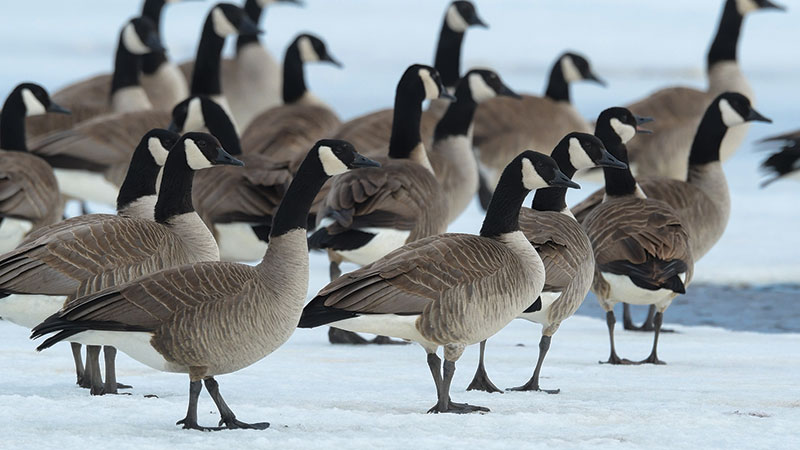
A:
[680,109]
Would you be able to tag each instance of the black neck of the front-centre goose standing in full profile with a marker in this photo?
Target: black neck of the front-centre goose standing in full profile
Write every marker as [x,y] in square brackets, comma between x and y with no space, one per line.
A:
[502,216]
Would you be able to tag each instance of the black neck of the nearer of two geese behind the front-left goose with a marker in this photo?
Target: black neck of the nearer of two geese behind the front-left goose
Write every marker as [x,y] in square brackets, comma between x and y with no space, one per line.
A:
[175,195]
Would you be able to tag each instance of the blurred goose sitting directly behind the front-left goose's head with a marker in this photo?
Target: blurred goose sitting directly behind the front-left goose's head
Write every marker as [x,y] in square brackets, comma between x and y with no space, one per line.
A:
[286,132]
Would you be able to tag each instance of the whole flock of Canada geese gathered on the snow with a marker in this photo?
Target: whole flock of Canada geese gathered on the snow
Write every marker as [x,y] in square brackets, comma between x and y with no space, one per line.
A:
[166,143]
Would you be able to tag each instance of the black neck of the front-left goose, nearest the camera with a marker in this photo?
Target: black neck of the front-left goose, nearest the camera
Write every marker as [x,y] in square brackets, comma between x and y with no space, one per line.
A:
[293,210]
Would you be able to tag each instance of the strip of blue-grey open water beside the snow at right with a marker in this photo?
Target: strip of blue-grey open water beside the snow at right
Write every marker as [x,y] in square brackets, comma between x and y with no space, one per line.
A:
[767,308]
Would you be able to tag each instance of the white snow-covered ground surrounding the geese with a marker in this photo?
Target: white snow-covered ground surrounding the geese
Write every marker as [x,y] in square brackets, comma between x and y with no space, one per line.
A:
[721,388]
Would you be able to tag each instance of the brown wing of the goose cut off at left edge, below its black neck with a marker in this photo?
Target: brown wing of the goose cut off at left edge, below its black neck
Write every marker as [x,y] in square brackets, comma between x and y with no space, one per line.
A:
[28,188]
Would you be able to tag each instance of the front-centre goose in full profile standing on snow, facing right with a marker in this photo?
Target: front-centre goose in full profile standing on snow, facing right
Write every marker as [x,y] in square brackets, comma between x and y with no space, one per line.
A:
[450,290]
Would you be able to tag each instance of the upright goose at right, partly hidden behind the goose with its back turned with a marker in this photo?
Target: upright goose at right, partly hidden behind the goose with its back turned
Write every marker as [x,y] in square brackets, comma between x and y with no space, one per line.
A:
[702,201]
